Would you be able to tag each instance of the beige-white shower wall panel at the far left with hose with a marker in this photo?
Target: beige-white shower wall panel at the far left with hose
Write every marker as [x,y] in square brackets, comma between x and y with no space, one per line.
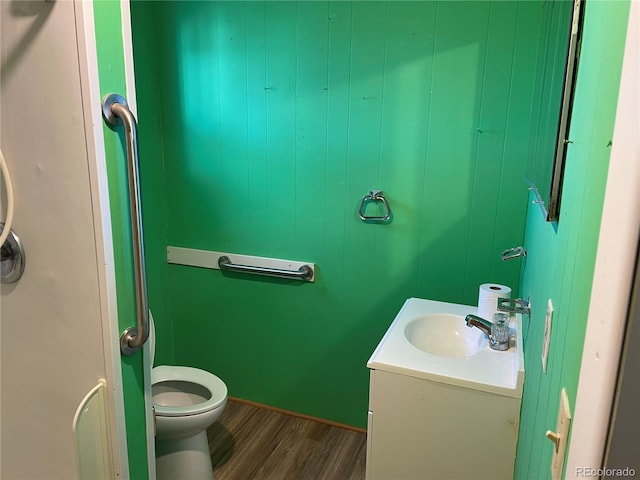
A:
[58,325]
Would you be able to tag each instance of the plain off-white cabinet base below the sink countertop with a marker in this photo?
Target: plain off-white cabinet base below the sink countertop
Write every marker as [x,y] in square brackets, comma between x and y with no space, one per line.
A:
[420,429]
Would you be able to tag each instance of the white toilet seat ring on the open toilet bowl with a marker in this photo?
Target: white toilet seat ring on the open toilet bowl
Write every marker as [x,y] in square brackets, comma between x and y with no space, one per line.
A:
[215,386]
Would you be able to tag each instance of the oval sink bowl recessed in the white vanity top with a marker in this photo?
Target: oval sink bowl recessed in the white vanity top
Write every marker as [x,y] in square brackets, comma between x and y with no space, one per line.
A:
[445,335]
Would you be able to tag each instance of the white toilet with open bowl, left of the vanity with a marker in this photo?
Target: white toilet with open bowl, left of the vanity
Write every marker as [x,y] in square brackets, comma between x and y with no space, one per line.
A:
[186,401]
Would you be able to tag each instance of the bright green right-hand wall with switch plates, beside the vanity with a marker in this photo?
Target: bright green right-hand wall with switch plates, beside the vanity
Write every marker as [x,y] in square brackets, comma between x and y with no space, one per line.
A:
[561,257]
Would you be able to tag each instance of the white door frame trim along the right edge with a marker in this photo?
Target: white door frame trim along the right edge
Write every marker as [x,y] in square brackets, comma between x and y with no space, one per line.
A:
[613,274]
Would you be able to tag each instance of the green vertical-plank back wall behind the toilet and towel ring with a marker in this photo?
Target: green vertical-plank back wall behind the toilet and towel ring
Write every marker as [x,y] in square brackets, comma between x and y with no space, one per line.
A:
[268,122]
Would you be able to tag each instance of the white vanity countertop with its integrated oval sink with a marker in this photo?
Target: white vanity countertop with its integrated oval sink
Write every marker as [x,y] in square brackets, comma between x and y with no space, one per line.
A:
[429,340]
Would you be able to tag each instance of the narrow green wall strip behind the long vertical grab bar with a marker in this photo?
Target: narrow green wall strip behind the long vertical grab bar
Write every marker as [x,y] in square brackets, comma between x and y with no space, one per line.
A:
[108,30]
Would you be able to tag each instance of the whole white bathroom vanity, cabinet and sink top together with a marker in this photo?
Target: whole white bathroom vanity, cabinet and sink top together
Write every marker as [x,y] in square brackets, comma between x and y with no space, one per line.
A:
[444,415]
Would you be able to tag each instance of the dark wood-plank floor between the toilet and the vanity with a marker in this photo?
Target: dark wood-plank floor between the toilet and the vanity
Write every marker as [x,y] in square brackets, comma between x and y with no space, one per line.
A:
[252,443]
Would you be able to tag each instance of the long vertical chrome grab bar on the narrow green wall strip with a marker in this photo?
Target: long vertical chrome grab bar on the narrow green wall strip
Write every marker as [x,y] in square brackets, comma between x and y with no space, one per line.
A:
[114,111]
